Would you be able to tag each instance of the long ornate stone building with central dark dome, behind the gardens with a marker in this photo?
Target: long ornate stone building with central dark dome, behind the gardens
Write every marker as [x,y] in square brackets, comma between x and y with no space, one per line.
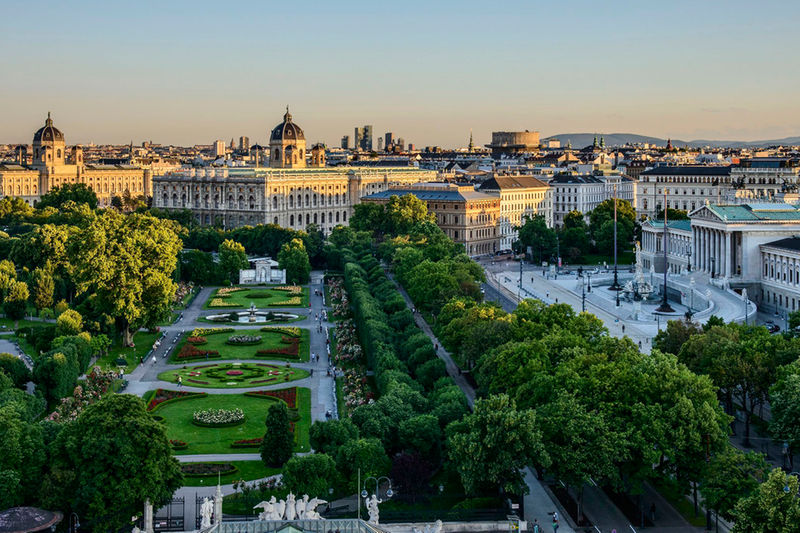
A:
[292,192]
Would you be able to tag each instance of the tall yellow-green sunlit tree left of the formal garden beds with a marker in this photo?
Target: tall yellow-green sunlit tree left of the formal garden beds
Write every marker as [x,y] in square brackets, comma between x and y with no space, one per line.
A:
[126,262]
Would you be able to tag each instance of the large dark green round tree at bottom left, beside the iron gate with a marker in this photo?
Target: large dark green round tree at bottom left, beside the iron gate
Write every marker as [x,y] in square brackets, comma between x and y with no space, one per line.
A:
[108,462]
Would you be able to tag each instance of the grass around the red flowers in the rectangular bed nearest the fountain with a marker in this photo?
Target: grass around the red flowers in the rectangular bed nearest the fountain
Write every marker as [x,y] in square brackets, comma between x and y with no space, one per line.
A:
[269,340]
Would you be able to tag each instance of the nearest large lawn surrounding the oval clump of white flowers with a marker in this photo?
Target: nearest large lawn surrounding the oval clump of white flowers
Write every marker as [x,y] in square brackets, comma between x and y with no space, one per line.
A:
[202,440]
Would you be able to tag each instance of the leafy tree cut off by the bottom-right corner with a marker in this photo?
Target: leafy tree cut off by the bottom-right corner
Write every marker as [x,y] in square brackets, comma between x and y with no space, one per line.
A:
[773,508]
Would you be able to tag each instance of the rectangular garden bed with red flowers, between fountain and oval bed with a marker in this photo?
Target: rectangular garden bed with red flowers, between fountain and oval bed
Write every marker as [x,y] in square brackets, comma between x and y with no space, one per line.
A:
[277,343]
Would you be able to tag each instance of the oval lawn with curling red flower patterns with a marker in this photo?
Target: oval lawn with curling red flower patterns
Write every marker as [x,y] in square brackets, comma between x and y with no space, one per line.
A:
[216,377]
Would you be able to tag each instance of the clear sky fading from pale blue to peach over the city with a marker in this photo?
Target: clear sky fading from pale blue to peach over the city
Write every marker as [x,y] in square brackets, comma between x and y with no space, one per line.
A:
[191,72]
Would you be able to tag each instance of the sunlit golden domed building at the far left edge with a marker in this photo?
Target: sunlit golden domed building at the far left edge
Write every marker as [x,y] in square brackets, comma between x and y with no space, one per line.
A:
[52,164]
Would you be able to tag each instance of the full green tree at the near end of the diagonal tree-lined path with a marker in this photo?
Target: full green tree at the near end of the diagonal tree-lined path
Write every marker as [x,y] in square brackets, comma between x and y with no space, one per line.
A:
[490,447]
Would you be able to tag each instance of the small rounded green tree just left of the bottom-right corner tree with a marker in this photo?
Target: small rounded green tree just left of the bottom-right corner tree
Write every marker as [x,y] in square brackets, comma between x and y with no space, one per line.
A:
[730,476]
